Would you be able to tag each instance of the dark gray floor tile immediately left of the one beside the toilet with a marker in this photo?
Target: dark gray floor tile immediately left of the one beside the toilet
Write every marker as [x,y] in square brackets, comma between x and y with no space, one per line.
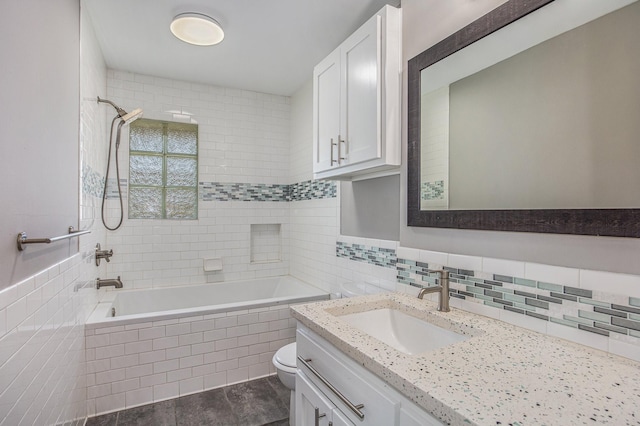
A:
[209,408]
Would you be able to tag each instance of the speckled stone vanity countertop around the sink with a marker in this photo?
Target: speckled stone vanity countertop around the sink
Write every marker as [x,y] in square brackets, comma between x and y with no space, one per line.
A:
[502,375]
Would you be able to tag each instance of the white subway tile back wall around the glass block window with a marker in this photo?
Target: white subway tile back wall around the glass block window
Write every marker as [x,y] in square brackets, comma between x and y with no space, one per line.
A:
[244,140]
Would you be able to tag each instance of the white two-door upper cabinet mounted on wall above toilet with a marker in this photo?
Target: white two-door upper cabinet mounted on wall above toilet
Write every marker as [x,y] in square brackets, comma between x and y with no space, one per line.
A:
[356,102]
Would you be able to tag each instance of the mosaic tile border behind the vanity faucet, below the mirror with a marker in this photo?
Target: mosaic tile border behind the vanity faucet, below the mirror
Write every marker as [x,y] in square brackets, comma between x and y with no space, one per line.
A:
[560,304]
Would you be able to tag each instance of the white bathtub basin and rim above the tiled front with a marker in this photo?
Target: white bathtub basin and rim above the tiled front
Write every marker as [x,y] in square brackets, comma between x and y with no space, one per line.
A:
[174,302]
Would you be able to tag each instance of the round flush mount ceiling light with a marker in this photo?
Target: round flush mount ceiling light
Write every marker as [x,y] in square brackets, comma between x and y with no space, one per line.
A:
[196,28]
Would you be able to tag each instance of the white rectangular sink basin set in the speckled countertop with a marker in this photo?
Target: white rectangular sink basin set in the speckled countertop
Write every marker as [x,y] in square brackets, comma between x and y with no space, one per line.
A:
[403,332]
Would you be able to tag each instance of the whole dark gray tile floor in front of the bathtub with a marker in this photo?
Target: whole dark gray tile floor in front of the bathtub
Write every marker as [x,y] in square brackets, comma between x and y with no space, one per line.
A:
[258,402]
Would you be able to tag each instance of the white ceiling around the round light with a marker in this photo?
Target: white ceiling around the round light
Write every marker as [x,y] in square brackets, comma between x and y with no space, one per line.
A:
[270,46]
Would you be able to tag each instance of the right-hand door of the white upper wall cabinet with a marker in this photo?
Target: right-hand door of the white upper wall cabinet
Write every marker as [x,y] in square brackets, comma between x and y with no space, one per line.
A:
[360,129]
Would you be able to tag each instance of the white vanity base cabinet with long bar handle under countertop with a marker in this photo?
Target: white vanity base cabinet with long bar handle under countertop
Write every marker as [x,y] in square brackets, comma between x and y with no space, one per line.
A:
[332,390]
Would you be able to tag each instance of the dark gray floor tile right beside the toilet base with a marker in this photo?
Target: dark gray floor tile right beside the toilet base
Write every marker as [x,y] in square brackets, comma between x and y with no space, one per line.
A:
[255,403]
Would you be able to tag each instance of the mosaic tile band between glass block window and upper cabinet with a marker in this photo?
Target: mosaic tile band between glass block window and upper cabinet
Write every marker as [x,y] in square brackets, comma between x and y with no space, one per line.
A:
[308,190]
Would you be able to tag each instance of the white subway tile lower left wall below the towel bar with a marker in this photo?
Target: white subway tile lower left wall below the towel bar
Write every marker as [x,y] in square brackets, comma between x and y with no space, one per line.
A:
[42,368]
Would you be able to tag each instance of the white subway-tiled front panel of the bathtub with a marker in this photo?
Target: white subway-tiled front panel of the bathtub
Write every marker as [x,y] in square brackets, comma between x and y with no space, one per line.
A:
[136,364]
